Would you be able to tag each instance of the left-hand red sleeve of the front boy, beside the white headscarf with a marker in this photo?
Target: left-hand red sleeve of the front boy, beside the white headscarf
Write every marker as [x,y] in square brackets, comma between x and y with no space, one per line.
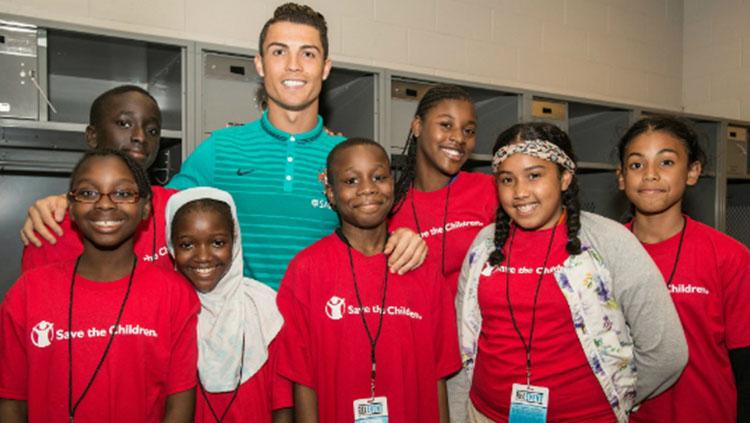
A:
[295,361]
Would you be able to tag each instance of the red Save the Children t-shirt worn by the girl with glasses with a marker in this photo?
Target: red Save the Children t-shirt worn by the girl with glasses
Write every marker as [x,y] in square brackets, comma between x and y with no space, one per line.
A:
[154,354]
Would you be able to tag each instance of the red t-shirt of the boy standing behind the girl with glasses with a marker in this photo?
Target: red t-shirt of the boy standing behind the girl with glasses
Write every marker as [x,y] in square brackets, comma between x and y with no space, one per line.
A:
[70,245]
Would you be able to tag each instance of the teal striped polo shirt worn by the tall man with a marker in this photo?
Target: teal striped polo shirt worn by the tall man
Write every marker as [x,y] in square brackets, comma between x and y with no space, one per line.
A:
[275,180]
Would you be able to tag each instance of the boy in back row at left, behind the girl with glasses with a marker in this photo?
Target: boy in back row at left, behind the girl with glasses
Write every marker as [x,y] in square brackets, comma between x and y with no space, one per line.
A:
[125,118]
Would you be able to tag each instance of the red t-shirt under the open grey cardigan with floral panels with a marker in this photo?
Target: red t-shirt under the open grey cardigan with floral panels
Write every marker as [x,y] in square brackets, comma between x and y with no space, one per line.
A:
[557,358]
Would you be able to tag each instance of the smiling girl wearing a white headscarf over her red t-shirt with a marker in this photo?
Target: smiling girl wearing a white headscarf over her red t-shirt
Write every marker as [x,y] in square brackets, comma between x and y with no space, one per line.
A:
[239,319]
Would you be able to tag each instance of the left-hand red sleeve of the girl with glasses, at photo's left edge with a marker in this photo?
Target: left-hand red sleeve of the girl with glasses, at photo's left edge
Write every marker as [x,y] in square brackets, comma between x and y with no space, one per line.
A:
[13,359]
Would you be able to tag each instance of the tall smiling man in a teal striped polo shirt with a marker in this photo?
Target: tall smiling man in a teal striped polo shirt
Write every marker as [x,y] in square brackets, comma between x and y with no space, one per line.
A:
[273,166]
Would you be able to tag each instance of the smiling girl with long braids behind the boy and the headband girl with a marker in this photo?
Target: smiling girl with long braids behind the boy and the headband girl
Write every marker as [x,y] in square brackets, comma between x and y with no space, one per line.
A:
[445,205]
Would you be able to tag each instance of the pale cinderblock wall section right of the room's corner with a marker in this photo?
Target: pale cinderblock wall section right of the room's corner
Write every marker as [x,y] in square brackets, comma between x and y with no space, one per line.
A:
[717,58]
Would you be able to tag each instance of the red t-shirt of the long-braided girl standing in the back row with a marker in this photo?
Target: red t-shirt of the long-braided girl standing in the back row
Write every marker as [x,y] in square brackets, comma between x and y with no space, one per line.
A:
[472,205]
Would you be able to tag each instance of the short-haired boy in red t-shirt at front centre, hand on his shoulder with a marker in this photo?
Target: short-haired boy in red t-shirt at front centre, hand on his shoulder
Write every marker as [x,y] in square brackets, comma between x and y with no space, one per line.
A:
[359,342]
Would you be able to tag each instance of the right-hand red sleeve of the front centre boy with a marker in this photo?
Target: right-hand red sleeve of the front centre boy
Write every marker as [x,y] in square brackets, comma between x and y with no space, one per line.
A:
[447,357]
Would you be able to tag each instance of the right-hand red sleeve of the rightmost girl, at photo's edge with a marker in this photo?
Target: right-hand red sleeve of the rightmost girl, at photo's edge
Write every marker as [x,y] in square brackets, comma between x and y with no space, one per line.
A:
[735,271]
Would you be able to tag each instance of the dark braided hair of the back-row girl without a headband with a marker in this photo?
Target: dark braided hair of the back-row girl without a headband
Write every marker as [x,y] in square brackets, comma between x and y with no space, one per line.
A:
[407,172]
